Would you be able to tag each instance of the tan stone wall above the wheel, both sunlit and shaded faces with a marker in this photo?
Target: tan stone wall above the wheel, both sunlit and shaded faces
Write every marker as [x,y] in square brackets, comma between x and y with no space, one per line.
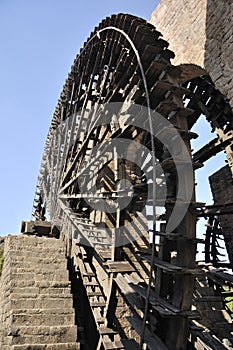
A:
[200,32]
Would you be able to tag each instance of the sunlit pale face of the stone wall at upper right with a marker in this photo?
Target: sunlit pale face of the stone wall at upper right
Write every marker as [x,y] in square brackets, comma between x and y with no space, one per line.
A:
[182,23]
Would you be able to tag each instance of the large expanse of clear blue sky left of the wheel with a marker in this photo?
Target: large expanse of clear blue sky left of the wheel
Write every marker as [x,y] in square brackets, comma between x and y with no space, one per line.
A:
[39,40]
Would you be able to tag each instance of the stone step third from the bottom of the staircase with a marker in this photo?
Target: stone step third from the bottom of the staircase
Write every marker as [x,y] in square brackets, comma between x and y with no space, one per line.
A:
[40,317]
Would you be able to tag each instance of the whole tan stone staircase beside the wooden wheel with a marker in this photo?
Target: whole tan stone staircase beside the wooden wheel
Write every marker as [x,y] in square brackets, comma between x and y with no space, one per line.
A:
[36,301]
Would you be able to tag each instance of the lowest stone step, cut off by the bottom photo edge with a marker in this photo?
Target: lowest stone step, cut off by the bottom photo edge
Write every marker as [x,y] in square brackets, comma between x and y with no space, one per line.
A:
[57,346]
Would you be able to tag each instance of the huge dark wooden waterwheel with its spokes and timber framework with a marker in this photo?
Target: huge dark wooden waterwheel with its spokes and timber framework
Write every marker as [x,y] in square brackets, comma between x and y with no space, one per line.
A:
[141,283]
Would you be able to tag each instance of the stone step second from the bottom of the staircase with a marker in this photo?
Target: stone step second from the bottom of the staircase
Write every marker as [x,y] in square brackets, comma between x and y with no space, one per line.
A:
[42,335]
